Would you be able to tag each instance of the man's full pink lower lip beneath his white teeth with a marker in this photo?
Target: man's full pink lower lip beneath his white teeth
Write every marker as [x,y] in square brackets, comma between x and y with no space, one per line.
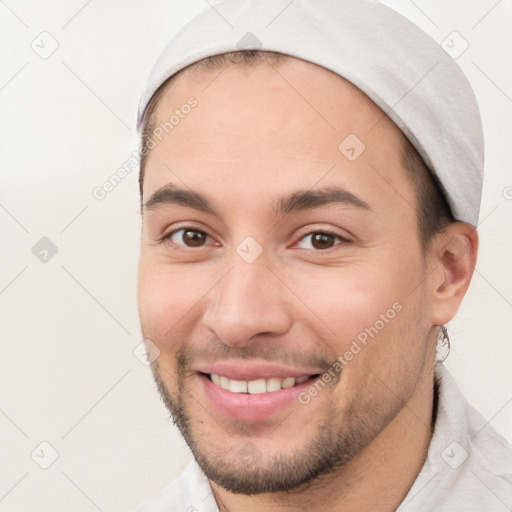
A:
[247,407]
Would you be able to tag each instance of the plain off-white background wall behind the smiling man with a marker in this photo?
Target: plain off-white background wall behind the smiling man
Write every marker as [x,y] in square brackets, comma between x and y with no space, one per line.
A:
[68,375]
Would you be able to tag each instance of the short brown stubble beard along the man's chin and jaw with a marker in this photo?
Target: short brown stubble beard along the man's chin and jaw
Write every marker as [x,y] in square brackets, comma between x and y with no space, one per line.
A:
[337,438]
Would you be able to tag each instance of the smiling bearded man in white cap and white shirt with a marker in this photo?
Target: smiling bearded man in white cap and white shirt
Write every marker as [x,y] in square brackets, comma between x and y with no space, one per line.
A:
[310,190]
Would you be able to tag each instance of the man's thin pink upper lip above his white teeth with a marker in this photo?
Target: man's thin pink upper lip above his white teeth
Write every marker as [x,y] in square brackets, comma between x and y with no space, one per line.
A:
[254,371]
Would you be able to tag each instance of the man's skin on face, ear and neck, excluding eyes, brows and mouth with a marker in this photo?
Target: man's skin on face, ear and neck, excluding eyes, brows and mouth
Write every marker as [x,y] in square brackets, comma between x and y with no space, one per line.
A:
[251,140]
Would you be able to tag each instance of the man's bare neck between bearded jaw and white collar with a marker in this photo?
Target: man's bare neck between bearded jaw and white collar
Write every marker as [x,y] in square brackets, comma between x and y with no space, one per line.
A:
[378,479]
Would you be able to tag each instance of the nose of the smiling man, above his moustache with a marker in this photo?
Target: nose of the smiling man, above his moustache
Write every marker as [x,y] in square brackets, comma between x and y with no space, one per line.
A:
[249,301]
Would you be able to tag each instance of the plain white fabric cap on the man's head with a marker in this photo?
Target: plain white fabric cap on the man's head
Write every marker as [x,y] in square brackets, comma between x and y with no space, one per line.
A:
[405,72]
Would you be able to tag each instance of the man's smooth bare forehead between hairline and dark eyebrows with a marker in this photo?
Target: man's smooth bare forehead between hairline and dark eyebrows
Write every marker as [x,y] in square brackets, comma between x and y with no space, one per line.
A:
[267,125]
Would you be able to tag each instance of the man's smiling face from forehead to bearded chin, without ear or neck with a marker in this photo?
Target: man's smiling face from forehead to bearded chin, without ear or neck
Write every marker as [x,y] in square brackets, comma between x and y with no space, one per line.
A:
[281,273]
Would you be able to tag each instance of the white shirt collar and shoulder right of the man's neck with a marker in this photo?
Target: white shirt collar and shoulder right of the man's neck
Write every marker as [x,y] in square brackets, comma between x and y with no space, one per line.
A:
[469,465]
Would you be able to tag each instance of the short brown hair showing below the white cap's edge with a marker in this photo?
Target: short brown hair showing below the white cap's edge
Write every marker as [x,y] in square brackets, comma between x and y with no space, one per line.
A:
[433,212]
